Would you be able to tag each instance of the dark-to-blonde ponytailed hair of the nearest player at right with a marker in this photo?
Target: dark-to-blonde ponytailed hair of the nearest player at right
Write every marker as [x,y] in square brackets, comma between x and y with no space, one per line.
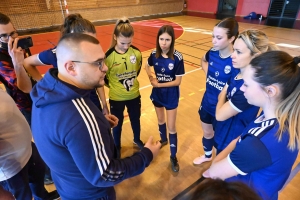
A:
[278,67]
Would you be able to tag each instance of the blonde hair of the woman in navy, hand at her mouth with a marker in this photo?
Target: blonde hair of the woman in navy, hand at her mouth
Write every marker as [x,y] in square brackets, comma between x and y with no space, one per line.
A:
[257,41]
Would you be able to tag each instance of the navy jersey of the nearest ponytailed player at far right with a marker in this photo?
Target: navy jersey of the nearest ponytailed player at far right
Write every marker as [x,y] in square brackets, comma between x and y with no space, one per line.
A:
[261,160]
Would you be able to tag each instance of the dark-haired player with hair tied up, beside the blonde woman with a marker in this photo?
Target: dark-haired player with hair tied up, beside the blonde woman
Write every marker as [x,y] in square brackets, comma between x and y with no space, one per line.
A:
[217,65]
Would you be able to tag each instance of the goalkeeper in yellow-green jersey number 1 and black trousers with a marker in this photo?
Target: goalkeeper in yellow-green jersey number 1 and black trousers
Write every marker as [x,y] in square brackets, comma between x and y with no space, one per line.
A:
[124,64]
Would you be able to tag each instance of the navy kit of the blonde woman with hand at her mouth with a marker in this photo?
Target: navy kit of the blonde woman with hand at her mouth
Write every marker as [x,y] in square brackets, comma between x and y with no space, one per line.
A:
[228,130]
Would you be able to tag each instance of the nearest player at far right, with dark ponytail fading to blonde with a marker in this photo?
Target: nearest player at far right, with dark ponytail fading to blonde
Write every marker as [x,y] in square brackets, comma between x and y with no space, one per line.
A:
[262,157]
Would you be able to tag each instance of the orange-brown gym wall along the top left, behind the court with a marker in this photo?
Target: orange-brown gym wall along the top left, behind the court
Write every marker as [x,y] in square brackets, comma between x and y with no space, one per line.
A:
[35,14]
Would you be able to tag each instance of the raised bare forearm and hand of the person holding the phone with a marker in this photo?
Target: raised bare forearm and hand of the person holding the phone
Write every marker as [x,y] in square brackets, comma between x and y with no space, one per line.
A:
[17,57]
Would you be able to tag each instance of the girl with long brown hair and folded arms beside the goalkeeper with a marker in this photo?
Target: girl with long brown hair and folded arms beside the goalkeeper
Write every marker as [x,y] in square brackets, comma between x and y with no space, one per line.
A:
[169,69]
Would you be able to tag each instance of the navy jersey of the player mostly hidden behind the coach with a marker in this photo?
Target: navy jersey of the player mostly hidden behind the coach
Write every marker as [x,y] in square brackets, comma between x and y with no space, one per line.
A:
[48,57]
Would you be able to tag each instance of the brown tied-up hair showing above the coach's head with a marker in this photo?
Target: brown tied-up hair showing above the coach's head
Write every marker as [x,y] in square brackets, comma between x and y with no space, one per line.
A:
[75,23]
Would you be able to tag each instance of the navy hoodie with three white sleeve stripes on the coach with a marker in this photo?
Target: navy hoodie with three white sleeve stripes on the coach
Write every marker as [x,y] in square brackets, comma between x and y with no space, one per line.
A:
[74,139]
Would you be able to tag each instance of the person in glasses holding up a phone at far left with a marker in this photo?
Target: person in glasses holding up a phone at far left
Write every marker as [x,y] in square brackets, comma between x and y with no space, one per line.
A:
[12,73]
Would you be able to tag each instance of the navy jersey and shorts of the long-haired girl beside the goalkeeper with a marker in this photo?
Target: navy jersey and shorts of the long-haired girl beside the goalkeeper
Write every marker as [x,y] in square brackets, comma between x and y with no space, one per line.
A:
[166,70]
